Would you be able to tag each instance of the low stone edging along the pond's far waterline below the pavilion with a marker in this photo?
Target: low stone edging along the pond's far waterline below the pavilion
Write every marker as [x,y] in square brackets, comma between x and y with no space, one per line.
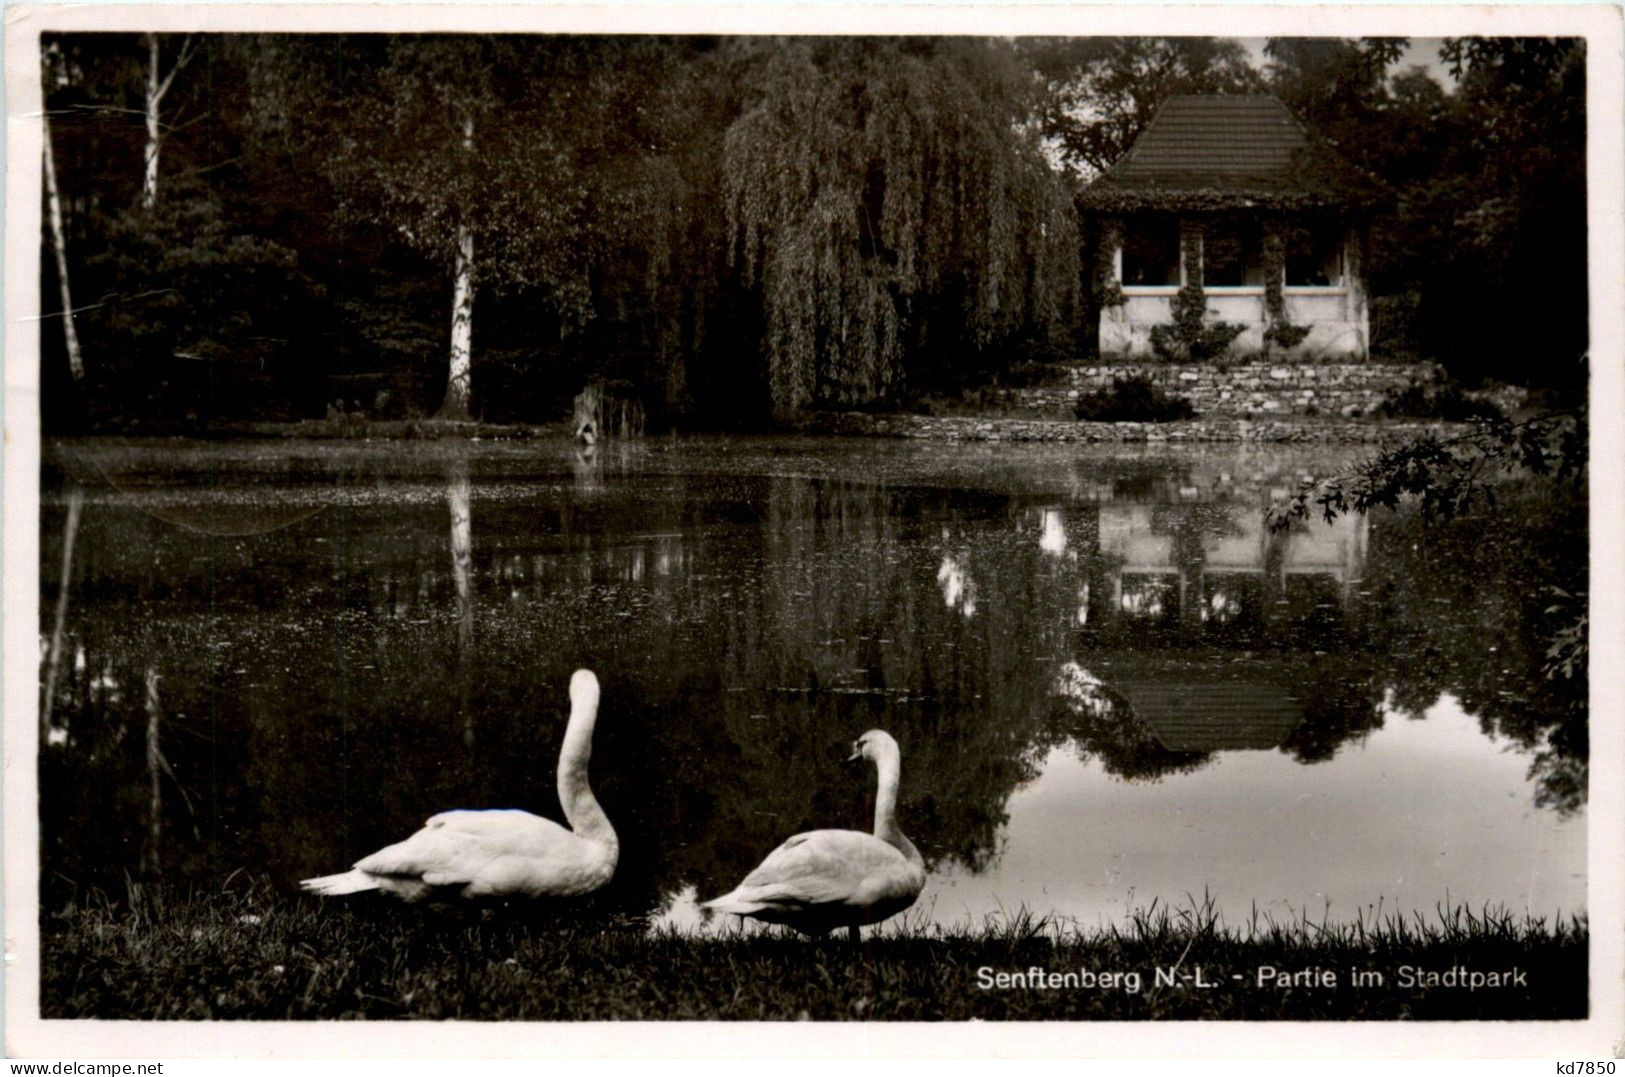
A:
[973,430]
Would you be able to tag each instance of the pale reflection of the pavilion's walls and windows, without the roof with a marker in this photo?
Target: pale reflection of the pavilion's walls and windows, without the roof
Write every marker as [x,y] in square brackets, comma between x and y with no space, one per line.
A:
[1215,564]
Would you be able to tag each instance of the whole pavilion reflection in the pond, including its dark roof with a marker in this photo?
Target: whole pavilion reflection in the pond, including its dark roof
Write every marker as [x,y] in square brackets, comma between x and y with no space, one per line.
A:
[1202,573]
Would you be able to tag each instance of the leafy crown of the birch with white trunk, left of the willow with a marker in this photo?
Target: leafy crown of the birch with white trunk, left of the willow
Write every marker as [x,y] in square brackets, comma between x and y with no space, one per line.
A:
[475,132]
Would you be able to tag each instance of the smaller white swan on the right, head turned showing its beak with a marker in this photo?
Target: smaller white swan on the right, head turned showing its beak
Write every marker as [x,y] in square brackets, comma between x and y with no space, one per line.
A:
[826,880]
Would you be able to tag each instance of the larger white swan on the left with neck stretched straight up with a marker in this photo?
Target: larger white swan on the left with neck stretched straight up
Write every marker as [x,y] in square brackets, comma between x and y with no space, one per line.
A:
[506,852]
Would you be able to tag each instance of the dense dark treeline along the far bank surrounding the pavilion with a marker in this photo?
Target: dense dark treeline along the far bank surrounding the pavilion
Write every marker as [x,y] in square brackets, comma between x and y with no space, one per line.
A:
[280,227]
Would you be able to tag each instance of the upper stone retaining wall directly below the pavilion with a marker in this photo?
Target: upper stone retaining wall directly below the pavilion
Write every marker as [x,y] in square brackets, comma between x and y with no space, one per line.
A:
[1254,389]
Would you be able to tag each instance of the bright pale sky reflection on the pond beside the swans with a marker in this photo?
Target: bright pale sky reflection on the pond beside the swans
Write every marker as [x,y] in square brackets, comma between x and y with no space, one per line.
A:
[1296,839]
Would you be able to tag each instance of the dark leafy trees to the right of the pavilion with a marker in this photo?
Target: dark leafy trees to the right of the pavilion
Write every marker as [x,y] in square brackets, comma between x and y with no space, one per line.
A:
[1489,179]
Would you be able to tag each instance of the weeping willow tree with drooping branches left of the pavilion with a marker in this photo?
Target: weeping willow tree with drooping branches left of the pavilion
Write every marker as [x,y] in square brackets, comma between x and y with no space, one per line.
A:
[893,205]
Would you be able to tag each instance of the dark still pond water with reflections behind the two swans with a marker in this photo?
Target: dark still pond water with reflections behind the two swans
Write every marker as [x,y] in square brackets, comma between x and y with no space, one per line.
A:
[1112,685]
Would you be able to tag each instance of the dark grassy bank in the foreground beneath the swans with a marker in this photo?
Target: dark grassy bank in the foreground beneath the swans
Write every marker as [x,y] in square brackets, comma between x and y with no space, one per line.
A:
[266,956]
